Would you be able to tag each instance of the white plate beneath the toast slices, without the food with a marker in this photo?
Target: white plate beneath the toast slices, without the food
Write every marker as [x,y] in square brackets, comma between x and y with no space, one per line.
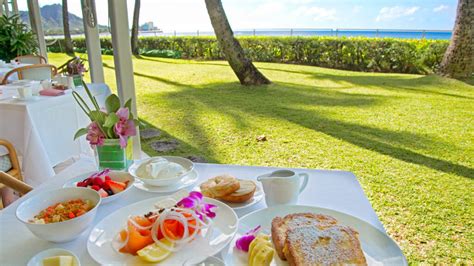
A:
[379,249]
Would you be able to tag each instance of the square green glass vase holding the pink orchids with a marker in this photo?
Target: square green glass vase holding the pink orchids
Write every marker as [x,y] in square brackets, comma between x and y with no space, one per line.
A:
[112,156]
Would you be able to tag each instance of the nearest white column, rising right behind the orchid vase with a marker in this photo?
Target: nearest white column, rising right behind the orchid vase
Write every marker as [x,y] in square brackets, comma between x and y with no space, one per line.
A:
[123,59]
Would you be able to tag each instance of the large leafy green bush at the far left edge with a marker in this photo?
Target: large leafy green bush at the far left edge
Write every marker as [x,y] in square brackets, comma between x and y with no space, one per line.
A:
[15,38]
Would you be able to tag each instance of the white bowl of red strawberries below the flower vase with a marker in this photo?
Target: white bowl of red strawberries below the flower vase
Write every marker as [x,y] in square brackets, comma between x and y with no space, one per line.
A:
[110,185]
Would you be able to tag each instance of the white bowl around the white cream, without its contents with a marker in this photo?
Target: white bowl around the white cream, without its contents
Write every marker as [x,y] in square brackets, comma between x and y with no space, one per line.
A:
[187,164]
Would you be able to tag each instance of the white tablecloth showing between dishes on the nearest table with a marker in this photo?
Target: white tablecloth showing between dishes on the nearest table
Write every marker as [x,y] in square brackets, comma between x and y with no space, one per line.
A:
[336,190]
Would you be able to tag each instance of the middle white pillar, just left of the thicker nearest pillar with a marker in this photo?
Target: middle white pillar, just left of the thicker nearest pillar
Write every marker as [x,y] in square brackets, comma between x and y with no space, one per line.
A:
[91,30]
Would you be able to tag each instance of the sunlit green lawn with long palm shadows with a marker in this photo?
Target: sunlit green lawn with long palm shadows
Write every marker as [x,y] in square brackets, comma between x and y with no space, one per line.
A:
[408,138]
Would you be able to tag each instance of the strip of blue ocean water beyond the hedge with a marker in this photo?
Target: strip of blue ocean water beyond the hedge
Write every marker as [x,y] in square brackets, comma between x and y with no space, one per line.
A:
[405,34]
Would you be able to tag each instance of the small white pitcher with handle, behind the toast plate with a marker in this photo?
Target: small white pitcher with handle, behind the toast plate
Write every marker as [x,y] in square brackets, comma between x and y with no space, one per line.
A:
[283,187]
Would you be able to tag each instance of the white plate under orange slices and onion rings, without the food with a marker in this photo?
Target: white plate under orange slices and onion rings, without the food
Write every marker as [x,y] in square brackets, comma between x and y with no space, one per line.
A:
[99,244]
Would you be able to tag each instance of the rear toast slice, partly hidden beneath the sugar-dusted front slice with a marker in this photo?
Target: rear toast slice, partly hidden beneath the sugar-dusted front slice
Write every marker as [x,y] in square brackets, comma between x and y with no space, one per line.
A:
[280,227]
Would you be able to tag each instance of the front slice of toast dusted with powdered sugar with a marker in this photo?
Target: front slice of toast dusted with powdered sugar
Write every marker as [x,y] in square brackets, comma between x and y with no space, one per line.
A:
[334,245]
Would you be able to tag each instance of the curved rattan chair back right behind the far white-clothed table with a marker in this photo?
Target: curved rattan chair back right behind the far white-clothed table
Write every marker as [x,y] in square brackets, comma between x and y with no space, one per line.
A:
[32,72]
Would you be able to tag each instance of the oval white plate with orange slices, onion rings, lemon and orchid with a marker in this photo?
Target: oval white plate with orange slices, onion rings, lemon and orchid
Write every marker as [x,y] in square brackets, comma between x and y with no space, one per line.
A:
[182,228]
